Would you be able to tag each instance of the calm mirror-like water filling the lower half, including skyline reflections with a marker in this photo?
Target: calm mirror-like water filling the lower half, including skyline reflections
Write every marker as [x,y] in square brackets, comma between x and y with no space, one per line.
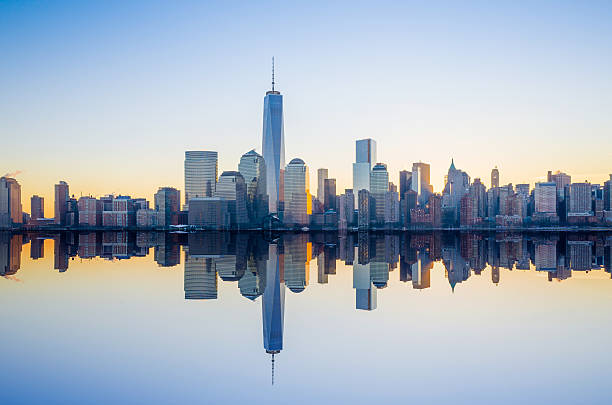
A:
[211,318]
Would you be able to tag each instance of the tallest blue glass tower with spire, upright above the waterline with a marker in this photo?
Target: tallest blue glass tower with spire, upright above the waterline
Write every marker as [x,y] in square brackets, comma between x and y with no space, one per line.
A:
[274,147]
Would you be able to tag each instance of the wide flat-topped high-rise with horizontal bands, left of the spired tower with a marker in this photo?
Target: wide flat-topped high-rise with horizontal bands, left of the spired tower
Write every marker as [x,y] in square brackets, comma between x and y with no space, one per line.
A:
[201,171]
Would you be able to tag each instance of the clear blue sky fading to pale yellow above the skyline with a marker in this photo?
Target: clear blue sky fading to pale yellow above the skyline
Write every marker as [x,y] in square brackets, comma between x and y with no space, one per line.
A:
[108,95]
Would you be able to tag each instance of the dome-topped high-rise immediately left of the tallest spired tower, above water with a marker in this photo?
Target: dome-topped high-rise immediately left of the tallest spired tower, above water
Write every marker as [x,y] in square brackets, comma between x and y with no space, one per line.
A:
[253,168]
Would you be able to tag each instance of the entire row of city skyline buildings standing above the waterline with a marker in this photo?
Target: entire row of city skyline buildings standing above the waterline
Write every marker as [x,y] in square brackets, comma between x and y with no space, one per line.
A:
[265,192]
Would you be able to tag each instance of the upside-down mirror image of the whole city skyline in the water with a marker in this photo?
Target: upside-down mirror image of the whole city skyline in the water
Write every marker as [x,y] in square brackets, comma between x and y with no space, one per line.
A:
[261,267]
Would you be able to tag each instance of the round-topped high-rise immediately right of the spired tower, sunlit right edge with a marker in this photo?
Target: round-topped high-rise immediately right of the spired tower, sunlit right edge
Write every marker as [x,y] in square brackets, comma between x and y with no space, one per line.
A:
[298,204]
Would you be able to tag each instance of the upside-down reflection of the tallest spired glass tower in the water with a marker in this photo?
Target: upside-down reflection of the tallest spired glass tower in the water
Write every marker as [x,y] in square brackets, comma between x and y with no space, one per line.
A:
[273,303]
